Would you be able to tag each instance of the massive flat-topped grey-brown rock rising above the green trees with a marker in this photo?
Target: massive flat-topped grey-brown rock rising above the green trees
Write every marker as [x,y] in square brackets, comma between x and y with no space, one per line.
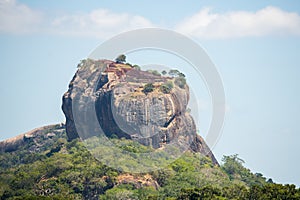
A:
[115,93]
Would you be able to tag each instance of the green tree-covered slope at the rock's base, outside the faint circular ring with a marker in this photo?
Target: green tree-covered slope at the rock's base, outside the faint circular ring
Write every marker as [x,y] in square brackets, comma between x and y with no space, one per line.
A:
[47,166]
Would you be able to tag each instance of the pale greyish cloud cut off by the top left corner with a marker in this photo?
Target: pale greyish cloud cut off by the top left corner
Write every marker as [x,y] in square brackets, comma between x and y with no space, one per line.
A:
[18,18]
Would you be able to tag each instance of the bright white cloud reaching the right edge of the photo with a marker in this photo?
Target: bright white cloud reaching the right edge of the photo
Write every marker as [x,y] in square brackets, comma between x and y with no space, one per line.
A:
[265,22]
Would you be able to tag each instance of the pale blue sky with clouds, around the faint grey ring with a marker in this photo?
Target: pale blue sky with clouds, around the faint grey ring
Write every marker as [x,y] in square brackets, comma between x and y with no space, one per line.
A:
[254,45]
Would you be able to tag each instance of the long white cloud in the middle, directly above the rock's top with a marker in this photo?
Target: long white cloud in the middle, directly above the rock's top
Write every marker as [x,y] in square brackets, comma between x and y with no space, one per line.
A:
[98,23]
